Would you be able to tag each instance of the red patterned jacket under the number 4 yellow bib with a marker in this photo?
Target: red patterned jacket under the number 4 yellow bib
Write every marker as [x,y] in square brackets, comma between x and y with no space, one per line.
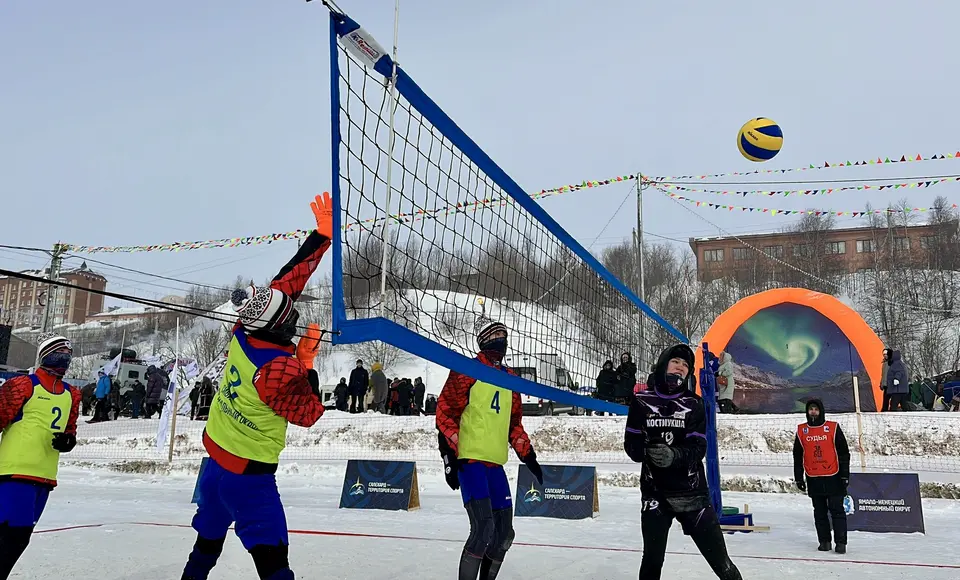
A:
[453,400]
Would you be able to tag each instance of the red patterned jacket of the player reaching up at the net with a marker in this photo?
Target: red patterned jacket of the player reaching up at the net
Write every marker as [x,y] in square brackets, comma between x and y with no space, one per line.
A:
[282,383]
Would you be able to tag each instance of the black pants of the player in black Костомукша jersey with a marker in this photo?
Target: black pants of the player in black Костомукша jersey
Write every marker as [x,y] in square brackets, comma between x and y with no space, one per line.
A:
[702,526]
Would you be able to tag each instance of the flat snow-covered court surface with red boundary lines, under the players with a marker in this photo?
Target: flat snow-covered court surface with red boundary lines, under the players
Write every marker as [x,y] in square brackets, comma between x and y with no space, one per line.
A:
[123,526]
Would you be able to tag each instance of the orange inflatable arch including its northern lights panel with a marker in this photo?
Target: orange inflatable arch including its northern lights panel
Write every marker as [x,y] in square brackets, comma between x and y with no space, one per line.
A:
[799,330]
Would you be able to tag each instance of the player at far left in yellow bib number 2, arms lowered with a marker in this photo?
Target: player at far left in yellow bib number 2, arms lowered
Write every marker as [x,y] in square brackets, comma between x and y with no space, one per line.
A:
[38,421]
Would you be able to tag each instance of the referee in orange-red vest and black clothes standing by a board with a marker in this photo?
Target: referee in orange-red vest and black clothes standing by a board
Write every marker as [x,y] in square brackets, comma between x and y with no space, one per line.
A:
[820,452]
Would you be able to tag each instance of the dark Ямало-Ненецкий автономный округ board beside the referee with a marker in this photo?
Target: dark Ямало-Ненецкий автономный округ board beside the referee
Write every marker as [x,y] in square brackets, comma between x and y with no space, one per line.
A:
[884,502]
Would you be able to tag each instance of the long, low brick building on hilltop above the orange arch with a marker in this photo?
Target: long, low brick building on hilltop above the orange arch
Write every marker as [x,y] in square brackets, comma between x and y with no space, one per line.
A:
[842,250]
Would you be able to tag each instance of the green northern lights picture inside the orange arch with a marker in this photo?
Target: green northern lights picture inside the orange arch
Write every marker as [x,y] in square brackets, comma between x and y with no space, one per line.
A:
[789,353]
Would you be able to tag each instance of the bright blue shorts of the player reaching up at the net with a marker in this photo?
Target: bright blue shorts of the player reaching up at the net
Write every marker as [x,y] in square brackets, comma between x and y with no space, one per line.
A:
[252,501]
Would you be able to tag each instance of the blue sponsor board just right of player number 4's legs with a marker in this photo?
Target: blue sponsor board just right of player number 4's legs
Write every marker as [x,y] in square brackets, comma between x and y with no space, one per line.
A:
[568,492]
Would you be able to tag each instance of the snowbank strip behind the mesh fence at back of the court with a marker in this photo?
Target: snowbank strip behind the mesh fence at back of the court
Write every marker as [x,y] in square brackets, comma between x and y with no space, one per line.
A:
[923,442]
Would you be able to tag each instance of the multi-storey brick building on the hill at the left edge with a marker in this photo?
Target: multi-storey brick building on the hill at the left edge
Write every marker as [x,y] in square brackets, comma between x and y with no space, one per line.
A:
[22,301]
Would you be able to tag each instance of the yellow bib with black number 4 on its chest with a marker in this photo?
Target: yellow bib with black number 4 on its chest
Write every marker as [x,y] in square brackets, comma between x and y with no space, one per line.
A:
[485,424]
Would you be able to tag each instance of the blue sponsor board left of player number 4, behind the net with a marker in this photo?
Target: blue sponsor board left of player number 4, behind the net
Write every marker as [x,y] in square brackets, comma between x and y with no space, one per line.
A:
[380,485]
